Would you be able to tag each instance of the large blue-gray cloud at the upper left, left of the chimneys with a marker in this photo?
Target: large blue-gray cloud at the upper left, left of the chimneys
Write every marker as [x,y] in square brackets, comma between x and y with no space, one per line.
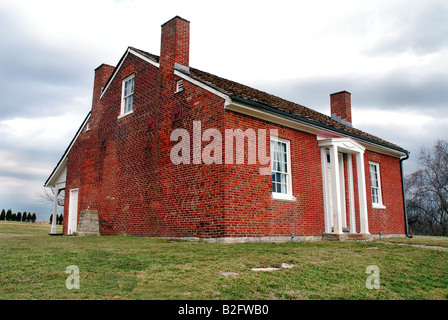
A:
[38,79]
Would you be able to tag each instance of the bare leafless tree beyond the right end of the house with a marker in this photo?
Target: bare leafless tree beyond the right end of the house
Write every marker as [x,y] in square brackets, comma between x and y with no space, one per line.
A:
[427,192]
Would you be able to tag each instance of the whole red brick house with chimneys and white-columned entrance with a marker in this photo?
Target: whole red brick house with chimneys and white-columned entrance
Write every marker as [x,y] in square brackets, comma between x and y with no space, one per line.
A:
[325,177]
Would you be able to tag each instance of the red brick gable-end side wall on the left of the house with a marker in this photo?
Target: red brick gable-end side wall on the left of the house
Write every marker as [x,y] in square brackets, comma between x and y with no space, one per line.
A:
[122,167]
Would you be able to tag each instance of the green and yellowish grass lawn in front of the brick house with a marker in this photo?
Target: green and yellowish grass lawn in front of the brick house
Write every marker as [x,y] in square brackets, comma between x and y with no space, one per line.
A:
[33,264]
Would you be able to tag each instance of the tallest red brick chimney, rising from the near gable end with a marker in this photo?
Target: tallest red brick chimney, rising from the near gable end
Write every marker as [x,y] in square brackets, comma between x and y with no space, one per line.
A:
[175,44]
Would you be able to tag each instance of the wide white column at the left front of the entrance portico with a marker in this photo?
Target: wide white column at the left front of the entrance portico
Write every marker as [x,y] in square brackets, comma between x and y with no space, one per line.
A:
[335,189]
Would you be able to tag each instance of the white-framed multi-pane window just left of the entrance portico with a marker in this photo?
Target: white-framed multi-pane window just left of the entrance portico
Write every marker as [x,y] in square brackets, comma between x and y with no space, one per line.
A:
[281,169]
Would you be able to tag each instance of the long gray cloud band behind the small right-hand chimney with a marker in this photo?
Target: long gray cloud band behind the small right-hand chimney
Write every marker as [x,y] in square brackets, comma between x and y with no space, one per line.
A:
[394,90]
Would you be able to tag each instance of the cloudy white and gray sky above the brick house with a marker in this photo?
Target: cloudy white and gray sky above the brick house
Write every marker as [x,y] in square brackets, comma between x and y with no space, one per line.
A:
[391,55]
